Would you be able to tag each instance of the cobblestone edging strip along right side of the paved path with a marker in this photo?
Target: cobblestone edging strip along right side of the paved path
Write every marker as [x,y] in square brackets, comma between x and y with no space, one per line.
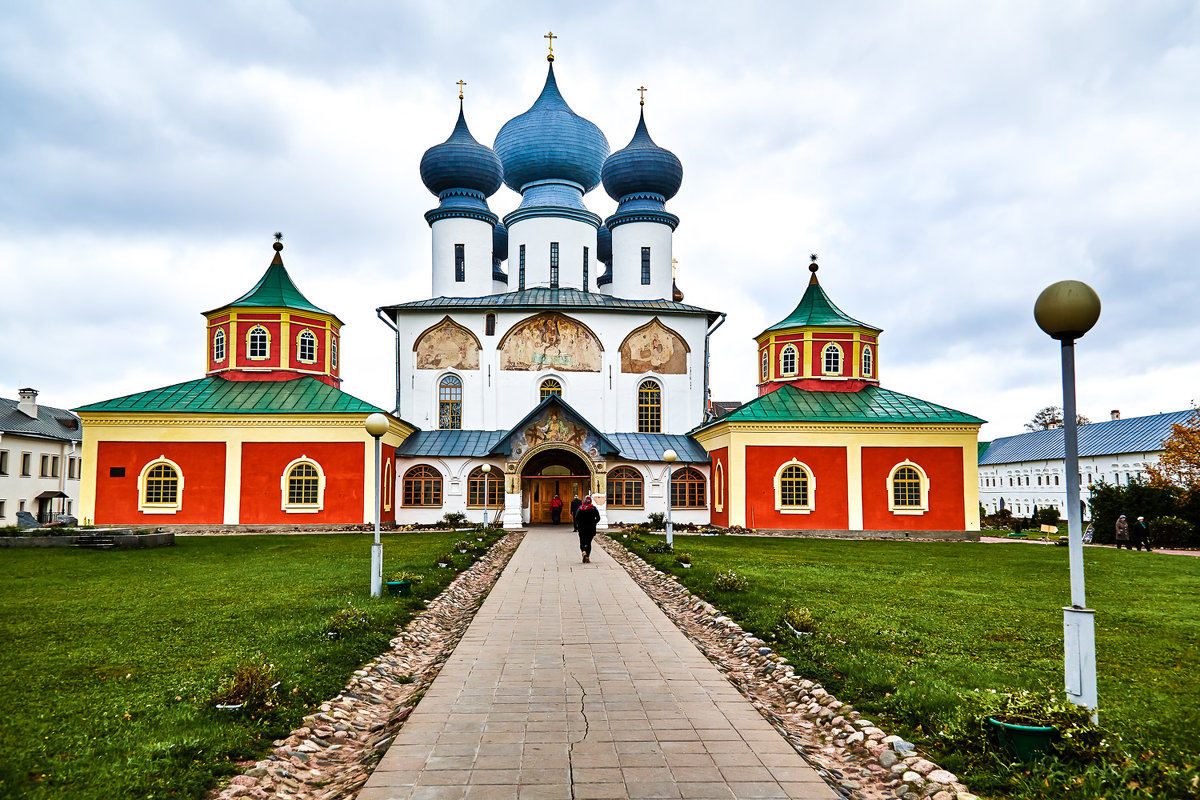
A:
[850,751]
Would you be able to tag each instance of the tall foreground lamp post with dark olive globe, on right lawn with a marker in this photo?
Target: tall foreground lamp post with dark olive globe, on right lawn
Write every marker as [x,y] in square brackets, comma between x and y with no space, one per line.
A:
[1066,311]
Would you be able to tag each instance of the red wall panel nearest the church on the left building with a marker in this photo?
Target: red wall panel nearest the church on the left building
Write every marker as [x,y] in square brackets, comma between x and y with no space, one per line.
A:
[262,468]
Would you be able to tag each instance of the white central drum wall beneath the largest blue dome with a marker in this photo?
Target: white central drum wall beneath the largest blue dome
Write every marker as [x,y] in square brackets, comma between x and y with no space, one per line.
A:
[536,234]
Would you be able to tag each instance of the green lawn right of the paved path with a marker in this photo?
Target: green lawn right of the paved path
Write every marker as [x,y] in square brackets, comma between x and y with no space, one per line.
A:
[913,631]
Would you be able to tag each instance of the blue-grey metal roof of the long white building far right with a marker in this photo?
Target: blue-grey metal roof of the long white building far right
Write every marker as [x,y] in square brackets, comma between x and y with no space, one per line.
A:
[1113,437]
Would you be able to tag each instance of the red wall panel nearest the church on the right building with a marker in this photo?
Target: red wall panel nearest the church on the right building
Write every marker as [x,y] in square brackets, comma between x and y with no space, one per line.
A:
[829,466]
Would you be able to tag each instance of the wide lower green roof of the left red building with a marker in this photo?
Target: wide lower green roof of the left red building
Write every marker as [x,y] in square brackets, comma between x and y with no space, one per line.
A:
[215,395]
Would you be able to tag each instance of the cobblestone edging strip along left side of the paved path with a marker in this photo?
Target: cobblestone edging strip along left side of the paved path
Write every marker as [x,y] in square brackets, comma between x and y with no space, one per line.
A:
[334,751]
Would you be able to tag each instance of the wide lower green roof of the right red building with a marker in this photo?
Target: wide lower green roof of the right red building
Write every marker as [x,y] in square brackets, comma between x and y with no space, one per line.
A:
[869,405]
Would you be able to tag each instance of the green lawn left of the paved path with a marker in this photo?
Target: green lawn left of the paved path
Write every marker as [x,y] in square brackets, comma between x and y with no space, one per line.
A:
[111,660]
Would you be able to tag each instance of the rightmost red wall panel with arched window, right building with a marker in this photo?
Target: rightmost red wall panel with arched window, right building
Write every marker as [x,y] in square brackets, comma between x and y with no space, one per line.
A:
[944,466]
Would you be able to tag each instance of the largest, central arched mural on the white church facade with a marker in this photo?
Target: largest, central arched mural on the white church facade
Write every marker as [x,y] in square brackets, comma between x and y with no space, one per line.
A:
[551,341]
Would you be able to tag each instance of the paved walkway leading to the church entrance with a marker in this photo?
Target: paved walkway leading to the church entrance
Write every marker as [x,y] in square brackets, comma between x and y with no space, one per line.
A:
[572,684]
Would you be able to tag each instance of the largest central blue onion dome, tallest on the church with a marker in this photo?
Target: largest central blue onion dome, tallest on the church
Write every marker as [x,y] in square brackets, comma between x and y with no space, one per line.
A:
[551,142]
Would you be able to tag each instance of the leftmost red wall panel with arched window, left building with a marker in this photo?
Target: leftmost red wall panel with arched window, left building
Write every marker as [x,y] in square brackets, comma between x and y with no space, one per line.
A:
[202,465]
